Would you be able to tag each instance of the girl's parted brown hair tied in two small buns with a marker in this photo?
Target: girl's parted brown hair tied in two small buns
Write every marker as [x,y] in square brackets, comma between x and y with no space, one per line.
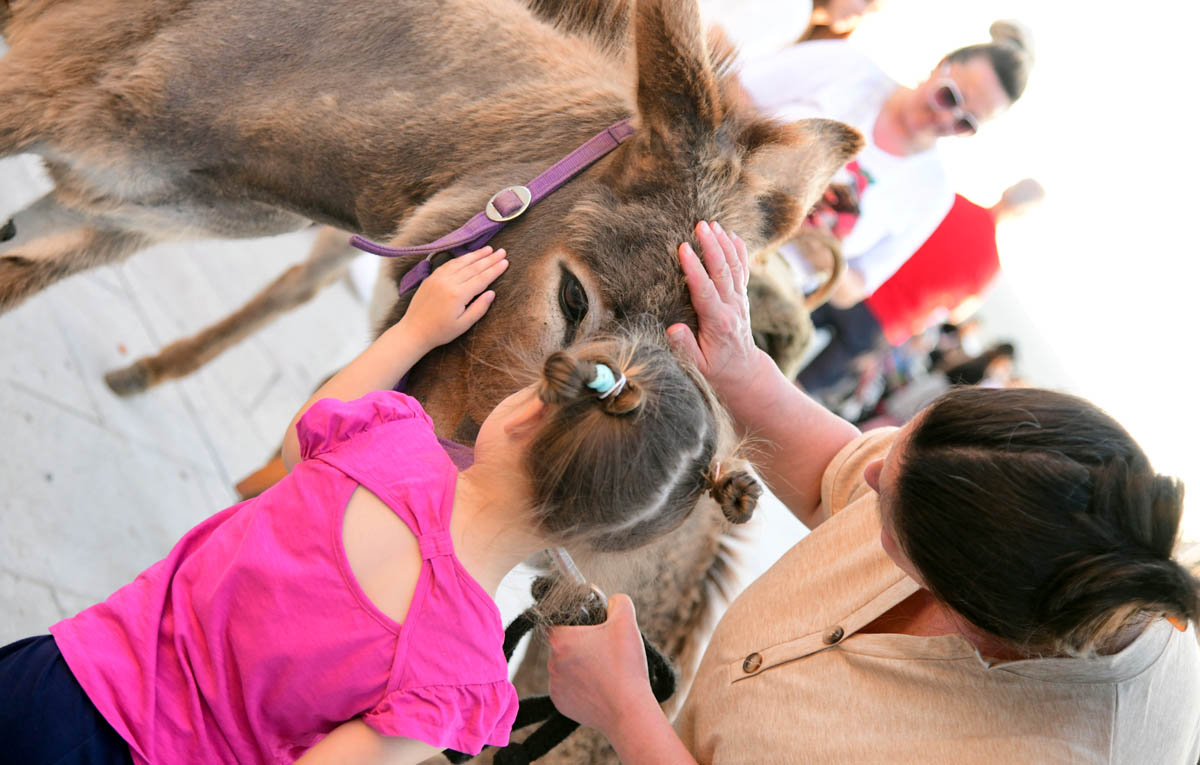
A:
[617,473]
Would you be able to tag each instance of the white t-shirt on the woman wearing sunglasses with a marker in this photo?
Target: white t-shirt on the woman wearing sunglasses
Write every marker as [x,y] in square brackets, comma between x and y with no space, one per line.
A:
[908,197]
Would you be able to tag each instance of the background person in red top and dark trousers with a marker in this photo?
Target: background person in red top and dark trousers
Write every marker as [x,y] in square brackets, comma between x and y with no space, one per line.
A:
[957,263]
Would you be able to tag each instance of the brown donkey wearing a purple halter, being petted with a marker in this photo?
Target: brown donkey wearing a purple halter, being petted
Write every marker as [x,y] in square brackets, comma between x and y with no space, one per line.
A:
[167,119]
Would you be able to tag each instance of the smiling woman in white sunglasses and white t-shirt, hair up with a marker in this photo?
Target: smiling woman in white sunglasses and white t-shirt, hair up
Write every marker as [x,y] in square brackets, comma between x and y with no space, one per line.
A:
[905,194]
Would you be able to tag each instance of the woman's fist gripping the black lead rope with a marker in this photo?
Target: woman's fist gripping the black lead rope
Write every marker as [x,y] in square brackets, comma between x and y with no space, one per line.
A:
[598,676]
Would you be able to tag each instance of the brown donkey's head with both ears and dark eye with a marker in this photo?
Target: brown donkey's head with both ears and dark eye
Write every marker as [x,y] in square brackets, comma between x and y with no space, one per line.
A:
[602,250]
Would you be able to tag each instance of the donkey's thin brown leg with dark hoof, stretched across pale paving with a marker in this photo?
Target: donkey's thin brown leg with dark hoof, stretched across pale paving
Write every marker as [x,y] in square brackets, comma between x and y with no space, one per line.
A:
[326,263]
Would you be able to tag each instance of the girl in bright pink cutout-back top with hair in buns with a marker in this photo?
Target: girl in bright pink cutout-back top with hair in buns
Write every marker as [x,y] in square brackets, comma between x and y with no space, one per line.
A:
[346,615]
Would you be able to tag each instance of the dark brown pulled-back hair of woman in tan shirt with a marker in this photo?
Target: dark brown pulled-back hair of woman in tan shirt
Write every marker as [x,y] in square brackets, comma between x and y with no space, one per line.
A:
[1039,519]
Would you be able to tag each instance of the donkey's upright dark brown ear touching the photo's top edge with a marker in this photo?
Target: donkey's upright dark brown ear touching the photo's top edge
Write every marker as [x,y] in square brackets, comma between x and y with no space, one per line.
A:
[677,94]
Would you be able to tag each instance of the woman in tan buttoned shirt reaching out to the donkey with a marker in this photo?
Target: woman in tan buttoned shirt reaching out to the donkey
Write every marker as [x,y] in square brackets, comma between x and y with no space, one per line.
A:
[991,583]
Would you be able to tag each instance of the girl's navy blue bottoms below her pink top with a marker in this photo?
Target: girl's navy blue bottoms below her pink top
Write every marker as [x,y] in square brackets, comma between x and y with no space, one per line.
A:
[45,715]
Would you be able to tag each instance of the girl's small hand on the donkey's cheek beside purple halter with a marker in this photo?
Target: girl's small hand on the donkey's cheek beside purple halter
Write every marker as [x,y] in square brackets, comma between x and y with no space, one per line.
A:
[453,298]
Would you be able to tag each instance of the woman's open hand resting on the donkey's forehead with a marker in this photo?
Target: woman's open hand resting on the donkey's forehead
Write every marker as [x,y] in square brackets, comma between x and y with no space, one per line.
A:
[724,352]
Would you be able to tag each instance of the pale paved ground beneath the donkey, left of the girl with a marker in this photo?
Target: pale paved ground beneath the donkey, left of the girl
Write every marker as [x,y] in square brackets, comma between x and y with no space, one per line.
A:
[95,489]
